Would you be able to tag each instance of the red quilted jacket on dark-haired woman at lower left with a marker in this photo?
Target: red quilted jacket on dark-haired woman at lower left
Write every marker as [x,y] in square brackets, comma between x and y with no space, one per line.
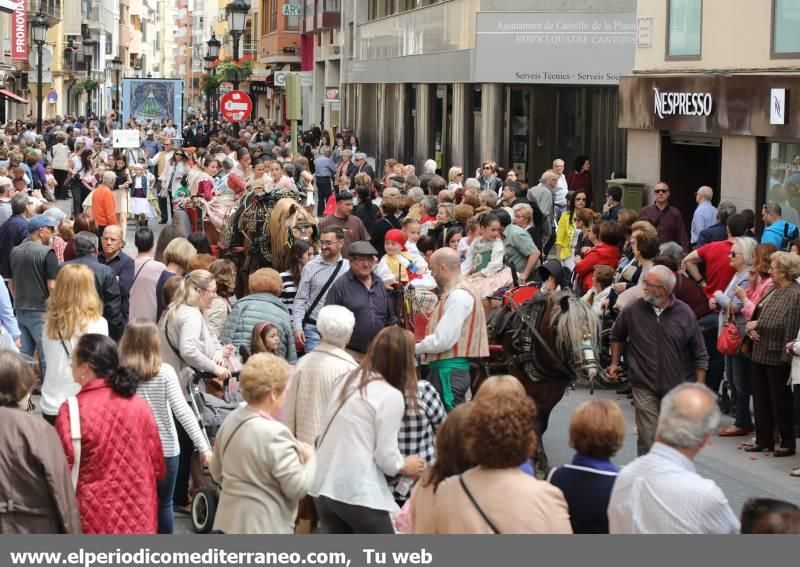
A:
[121,461]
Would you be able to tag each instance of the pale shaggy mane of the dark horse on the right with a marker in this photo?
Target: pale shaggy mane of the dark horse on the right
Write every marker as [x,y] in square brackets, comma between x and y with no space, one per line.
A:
[572,323]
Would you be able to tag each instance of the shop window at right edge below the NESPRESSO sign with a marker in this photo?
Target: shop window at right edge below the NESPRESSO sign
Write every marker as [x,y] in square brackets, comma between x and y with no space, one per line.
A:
[782,179]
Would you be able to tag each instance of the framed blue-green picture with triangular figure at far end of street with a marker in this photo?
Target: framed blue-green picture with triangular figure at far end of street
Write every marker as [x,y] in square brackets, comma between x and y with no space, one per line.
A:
[149,100]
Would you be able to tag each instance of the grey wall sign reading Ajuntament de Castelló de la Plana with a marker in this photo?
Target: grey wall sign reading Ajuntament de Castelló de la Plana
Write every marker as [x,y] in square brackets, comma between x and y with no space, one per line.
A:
[591,48]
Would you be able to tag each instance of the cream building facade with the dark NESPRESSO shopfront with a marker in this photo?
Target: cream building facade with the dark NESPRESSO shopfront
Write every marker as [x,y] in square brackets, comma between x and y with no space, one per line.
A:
[710,101]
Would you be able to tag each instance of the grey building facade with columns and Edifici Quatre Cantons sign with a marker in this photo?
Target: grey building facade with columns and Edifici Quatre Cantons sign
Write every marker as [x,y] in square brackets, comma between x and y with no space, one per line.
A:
[463,81]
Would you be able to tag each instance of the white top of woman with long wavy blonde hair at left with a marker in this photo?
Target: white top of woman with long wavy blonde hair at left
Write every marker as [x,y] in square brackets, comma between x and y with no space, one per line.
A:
[58,382]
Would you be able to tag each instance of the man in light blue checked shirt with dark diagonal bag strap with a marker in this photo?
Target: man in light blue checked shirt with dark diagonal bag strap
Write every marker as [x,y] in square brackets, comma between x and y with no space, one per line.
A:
[317,278]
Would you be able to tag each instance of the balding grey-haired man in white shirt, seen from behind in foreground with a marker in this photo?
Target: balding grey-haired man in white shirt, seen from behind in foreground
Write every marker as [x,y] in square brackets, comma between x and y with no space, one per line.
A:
[661,492]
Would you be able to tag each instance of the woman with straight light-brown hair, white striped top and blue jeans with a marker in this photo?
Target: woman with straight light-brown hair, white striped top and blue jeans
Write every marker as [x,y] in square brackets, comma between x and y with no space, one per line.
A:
[140,350]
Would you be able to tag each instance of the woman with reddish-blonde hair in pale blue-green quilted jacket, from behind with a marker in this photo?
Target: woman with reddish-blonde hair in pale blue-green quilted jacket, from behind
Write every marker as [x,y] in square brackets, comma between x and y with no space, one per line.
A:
[262,305]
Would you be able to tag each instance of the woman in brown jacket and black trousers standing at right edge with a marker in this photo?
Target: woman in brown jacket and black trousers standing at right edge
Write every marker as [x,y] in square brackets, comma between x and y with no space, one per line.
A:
[774,324]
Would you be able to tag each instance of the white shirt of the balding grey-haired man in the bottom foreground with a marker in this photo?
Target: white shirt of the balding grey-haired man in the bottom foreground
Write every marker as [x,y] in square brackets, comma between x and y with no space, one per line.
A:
[661,493]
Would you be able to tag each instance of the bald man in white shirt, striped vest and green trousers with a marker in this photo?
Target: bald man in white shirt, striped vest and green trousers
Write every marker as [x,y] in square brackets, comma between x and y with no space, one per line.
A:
[458,330]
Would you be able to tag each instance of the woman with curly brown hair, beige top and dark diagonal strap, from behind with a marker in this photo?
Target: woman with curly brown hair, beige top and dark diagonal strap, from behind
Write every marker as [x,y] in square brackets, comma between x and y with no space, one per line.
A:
[496,496]
